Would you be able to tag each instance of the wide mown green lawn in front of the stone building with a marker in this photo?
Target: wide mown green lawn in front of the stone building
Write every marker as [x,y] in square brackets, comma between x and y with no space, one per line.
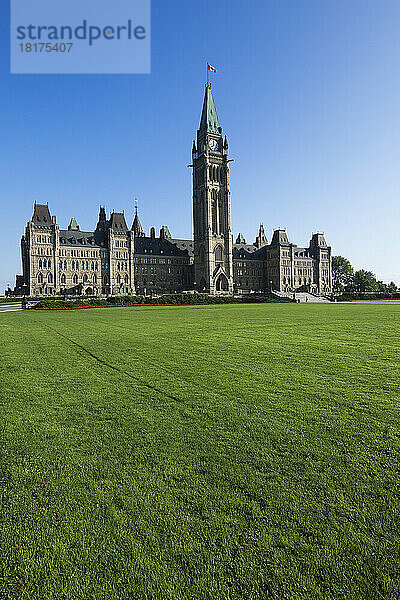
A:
[214,452]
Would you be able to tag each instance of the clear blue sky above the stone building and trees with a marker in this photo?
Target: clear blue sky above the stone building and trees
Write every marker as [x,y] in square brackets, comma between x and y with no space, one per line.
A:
[307,92]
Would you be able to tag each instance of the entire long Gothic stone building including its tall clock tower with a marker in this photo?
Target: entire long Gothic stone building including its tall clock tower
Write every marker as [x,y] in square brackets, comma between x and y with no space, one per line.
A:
[121,260]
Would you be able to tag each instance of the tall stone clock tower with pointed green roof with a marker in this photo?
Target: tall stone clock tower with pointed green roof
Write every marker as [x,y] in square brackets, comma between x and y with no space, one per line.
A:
[213,243]
